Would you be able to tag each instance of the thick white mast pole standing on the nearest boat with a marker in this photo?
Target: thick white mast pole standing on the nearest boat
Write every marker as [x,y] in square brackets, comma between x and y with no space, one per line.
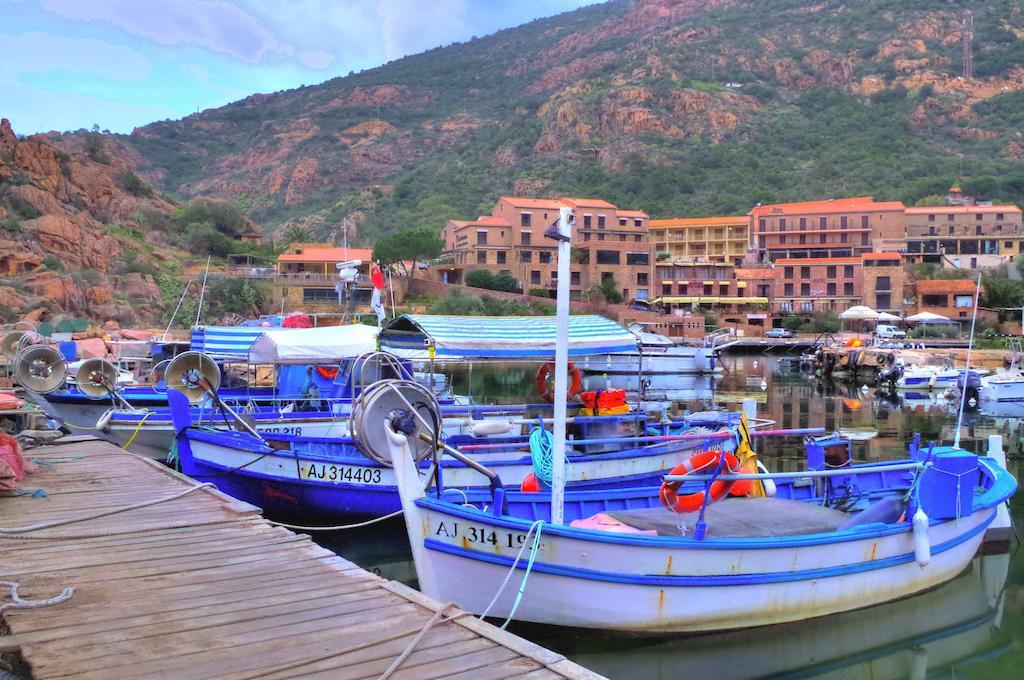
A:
[562,365]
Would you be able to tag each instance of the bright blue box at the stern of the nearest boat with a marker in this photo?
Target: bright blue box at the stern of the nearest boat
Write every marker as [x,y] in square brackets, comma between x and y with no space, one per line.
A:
[947,489]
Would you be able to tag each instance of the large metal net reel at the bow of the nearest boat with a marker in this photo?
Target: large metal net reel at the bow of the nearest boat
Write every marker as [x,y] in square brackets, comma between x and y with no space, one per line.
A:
[387,400]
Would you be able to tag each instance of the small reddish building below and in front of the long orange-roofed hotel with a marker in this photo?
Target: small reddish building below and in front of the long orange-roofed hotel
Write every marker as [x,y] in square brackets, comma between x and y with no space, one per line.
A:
[810,286]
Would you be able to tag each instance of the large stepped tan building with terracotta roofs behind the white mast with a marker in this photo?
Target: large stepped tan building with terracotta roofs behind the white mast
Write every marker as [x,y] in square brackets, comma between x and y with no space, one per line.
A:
[608,243]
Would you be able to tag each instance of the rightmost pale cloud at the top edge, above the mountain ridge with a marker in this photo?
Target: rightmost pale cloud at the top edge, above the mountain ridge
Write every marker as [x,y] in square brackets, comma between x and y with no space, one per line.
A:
[410,27]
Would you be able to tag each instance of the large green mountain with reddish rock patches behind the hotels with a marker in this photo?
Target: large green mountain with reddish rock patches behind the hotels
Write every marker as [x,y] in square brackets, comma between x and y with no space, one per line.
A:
[675,107]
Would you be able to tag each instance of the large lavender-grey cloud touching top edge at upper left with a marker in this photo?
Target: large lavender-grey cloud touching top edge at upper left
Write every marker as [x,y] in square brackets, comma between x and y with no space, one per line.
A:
[215,25]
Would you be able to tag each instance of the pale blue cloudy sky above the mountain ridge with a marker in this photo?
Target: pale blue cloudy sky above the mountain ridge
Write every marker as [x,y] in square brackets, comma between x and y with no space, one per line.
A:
[67,65]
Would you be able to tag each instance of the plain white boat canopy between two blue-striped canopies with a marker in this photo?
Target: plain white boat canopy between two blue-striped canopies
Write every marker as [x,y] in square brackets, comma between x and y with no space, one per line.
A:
[329,345]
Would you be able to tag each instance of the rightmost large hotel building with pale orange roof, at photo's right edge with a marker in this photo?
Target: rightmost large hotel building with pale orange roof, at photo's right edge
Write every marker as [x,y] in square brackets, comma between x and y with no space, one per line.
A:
[965,237]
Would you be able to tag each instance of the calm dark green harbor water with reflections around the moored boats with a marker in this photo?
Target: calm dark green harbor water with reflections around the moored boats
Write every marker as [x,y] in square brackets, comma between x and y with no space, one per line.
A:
[972,627]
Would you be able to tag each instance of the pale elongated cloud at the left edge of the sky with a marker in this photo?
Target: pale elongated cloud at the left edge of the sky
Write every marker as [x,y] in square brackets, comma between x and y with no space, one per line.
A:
[38,53]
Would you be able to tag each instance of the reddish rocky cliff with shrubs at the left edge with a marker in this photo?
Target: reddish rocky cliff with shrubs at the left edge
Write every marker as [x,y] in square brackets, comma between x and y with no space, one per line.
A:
[70,235]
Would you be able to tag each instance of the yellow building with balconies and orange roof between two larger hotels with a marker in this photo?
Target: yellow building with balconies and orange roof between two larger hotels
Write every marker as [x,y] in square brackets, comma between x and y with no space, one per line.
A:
[709,239]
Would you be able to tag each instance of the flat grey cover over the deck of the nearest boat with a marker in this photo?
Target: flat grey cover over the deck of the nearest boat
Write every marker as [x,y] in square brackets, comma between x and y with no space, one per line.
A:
[740,519]
